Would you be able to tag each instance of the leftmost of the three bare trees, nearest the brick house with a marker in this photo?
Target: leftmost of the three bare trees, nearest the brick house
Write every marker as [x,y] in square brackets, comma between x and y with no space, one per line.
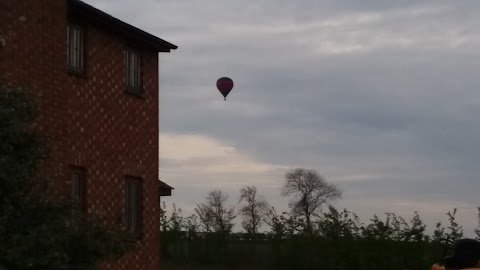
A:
[214,214]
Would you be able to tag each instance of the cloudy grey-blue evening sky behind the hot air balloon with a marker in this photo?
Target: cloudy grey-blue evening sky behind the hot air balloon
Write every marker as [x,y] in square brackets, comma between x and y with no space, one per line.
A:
[380,97]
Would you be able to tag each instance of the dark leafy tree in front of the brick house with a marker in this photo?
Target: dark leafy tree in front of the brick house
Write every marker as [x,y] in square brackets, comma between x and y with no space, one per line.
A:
[36,232]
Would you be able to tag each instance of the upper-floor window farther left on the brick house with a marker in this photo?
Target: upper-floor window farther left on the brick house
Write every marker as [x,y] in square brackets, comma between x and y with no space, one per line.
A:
[75,54]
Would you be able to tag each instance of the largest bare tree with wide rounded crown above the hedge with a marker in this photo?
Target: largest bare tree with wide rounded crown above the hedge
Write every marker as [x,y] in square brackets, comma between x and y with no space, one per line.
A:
[310,192]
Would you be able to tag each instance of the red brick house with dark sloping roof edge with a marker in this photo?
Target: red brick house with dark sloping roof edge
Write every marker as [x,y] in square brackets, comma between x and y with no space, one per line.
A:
[95,79]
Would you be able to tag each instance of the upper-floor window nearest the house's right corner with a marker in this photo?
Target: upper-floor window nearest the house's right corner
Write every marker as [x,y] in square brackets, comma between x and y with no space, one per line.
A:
[133,72]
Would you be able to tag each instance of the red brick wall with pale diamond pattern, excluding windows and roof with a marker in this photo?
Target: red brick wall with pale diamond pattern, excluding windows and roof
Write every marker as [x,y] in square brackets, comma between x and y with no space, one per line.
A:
[90,121]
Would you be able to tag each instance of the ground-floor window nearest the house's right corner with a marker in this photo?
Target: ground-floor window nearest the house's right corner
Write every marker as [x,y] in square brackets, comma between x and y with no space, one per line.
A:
[133,205]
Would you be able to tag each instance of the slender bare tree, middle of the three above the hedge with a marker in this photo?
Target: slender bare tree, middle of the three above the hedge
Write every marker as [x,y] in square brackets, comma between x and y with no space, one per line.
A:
[253,211]
